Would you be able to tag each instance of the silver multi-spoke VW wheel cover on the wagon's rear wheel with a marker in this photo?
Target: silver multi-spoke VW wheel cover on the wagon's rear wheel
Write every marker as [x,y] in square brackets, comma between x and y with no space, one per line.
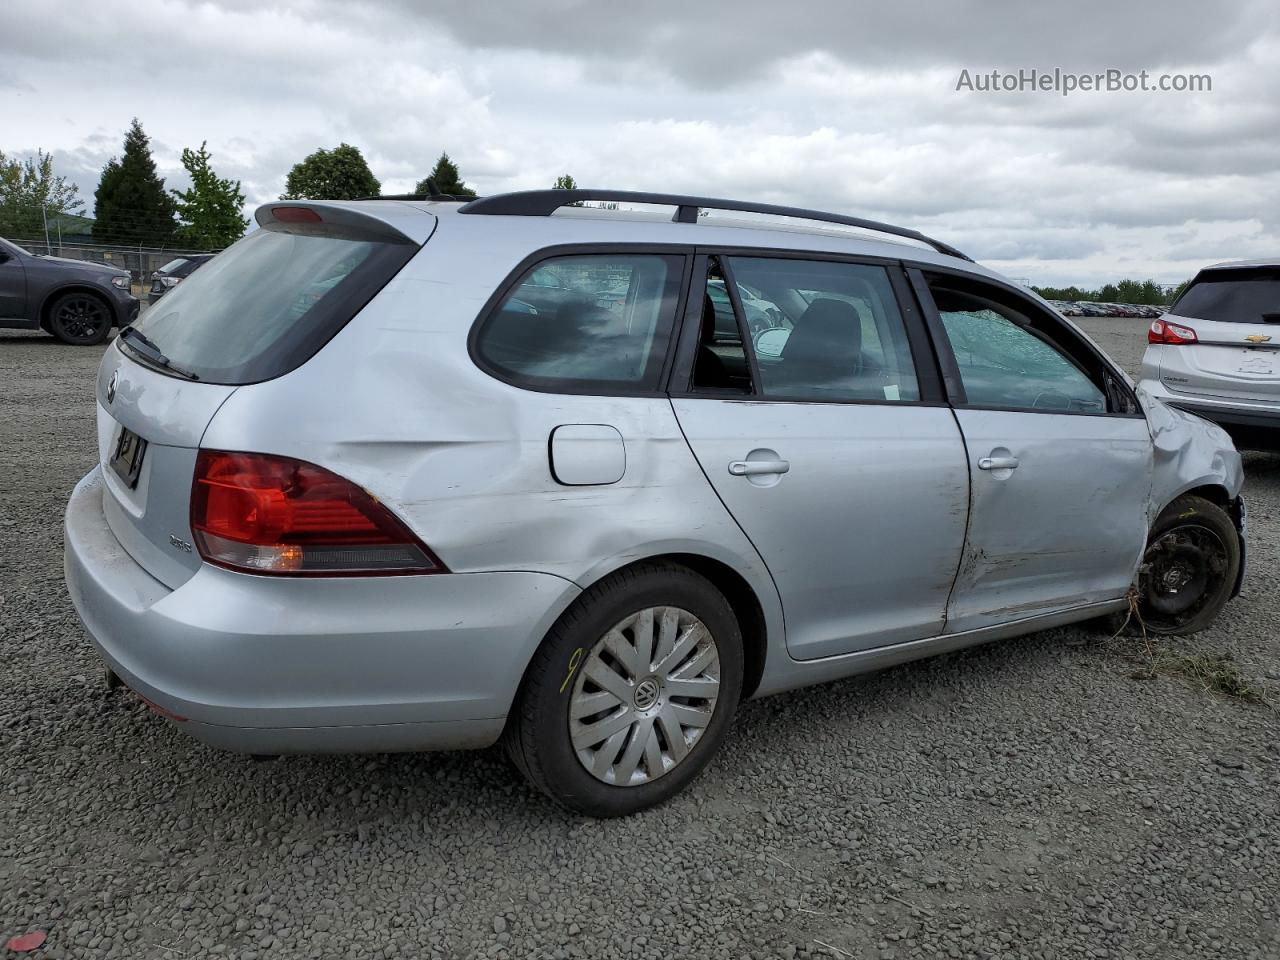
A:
[644,697]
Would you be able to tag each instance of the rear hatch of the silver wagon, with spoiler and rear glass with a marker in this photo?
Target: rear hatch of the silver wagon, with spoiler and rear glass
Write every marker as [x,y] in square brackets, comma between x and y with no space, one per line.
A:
[259,310]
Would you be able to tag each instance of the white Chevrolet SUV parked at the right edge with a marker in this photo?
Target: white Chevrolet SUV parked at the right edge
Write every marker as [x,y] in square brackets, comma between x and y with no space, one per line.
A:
[1217,351]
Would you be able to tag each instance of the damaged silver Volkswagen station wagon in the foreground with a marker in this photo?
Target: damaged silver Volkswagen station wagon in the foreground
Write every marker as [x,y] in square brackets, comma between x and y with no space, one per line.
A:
[415,474]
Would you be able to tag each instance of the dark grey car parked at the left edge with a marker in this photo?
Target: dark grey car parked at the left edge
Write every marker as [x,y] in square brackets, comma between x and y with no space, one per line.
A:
[77,301]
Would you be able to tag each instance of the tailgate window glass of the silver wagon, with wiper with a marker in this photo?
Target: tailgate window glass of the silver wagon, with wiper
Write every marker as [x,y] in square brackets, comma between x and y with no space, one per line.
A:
[268,304]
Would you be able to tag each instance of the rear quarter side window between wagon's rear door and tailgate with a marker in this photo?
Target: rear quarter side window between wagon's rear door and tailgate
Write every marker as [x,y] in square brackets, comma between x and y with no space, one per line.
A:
[586,324]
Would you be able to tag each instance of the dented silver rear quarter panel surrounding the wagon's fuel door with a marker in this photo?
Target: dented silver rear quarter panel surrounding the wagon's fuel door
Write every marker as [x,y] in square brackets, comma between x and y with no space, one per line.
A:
[396,404]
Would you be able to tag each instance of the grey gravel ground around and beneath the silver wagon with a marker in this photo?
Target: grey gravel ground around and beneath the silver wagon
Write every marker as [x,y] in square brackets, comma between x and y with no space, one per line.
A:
[1027,799]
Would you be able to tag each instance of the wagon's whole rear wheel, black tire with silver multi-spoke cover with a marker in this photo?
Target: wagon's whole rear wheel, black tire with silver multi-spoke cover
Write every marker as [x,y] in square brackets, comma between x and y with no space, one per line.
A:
[630,694]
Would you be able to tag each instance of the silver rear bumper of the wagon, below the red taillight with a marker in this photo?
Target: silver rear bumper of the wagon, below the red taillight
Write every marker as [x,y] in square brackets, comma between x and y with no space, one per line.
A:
[272,665]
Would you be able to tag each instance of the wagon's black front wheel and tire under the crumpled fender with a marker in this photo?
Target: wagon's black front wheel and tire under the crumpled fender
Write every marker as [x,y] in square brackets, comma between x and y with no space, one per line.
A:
[1190,569]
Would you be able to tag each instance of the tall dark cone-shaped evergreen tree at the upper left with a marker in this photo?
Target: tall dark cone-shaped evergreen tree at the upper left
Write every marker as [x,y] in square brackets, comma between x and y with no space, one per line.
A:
[131,202]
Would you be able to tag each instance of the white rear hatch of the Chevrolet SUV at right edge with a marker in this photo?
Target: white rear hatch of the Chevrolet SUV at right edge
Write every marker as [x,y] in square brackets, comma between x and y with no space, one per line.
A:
[1236,314]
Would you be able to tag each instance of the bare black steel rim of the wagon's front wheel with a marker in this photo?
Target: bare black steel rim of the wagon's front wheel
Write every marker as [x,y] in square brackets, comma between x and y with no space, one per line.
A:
[1181,573]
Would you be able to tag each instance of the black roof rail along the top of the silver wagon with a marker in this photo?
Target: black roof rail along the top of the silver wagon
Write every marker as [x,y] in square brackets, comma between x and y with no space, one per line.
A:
[545,203]
